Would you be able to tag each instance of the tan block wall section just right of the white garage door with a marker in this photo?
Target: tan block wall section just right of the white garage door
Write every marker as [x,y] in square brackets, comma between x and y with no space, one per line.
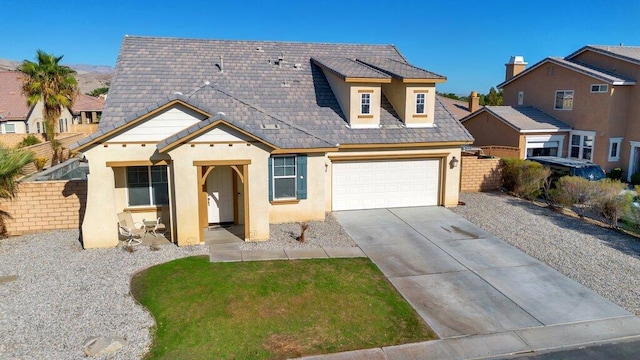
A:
[479,174]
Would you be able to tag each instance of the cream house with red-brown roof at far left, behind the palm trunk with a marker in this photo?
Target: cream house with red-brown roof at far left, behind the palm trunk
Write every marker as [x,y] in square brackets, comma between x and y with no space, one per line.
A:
[18,118]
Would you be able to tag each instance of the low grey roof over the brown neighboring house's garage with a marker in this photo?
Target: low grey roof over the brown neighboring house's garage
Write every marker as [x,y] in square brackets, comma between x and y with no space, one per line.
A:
[524,118]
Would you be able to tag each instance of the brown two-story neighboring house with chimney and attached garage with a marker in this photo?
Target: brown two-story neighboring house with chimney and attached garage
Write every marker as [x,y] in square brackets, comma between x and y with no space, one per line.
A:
[584,106]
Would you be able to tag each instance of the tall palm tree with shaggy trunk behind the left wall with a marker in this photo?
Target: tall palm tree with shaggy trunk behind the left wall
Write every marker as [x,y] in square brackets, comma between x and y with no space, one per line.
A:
[54,85]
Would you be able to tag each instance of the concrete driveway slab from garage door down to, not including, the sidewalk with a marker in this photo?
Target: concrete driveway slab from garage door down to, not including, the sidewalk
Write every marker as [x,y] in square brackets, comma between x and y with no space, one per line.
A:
[464,281]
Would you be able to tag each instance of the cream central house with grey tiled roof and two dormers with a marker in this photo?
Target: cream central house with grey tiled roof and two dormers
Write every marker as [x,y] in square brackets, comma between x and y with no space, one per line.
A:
[254,132]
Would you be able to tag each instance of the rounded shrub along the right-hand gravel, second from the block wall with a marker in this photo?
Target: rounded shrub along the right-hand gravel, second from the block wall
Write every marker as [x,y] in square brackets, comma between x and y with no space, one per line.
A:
[574,192]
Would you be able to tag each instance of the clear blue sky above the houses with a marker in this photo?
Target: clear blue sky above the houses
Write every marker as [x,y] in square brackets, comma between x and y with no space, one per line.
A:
[466,41]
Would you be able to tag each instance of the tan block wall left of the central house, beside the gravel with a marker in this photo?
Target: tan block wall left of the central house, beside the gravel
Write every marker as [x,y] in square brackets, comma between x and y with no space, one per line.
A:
[46,205]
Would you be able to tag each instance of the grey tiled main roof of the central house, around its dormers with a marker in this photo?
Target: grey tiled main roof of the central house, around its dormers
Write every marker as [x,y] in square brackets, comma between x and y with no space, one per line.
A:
[260,81]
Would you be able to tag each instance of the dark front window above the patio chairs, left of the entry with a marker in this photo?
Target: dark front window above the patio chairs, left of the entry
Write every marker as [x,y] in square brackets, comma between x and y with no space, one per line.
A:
[147,185]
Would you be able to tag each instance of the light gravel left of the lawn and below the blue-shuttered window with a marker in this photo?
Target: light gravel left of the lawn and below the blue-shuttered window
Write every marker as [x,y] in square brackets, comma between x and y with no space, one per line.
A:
[64,294]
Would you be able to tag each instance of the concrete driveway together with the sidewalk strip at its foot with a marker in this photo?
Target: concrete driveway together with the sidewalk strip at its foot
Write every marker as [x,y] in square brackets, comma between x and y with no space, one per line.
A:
[482,296]
